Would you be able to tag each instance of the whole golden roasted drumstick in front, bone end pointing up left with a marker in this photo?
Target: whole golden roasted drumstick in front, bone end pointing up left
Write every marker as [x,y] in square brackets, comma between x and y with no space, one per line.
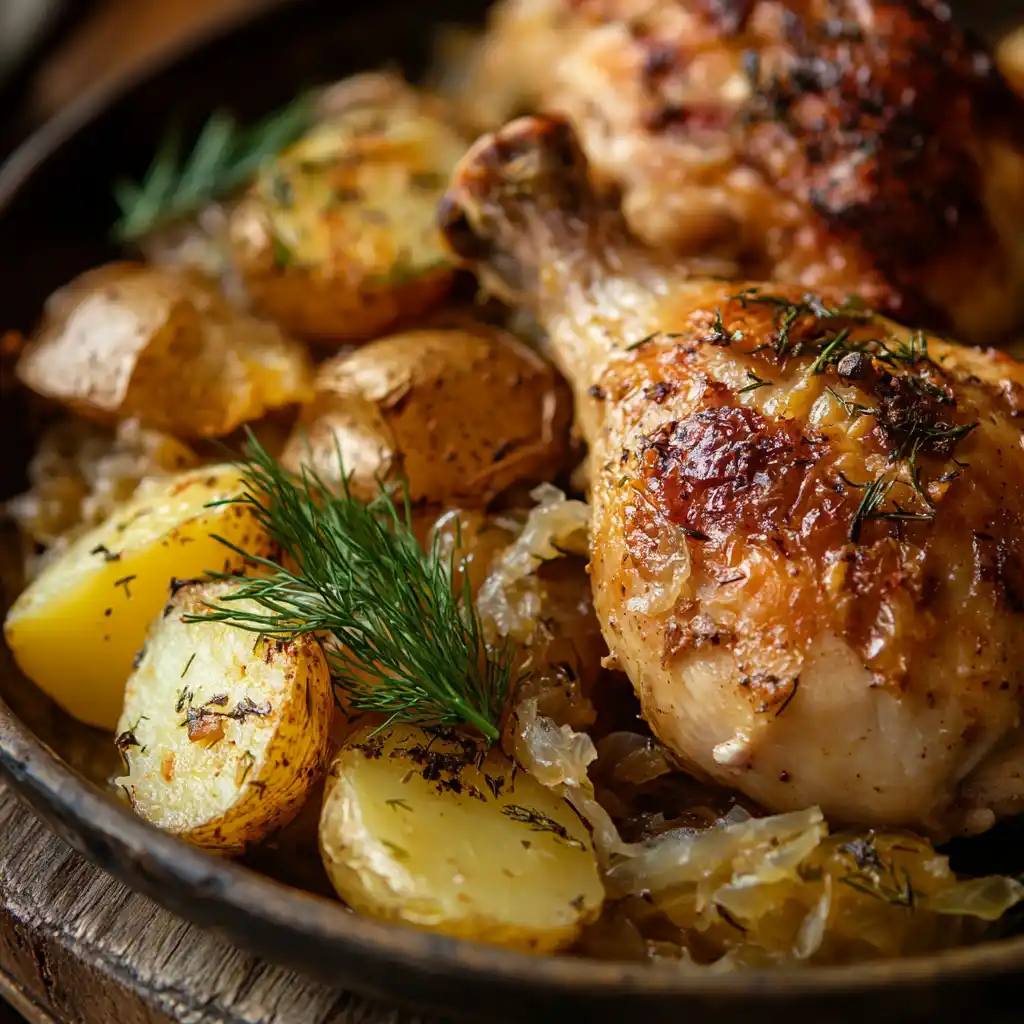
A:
[808,530]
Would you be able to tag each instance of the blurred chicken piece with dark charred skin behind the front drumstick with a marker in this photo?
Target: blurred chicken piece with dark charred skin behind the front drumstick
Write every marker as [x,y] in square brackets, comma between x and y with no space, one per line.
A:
[863,145]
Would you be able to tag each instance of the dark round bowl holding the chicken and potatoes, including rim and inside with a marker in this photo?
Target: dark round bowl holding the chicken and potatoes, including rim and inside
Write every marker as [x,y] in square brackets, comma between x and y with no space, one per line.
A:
[56,210]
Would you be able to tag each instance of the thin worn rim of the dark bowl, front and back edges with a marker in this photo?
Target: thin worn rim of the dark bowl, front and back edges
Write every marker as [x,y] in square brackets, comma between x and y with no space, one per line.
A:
[59,793]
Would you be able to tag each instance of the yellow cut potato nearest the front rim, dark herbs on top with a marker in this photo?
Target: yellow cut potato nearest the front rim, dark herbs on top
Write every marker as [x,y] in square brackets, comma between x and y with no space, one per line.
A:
[422,827]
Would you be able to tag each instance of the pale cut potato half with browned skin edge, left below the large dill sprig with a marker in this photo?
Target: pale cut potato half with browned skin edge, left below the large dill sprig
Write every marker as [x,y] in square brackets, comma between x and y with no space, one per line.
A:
[225,734]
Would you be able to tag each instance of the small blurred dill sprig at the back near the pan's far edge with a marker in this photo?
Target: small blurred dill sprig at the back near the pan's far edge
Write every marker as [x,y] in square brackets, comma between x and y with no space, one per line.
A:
[225,157]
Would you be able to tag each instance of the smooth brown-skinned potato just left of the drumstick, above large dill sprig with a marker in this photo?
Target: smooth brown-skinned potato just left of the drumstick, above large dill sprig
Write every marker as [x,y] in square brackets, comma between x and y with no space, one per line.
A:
[461,414]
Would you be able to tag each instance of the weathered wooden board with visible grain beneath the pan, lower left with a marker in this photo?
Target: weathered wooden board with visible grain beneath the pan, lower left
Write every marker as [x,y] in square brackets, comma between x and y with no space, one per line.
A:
[78,948]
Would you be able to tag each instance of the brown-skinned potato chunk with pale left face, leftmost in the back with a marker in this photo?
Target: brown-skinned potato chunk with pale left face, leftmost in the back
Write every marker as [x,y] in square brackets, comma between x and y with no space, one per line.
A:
[129,342]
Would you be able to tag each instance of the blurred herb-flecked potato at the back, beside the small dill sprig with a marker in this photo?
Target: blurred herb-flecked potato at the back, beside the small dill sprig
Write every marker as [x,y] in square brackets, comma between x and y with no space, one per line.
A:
[337,239]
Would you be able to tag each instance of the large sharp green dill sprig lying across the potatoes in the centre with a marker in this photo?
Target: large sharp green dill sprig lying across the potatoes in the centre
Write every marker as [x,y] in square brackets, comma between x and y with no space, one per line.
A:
[403,641]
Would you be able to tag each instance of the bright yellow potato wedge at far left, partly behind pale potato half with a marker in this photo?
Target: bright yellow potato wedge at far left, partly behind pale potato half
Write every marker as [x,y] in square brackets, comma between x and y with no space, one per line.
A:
[77,627]
